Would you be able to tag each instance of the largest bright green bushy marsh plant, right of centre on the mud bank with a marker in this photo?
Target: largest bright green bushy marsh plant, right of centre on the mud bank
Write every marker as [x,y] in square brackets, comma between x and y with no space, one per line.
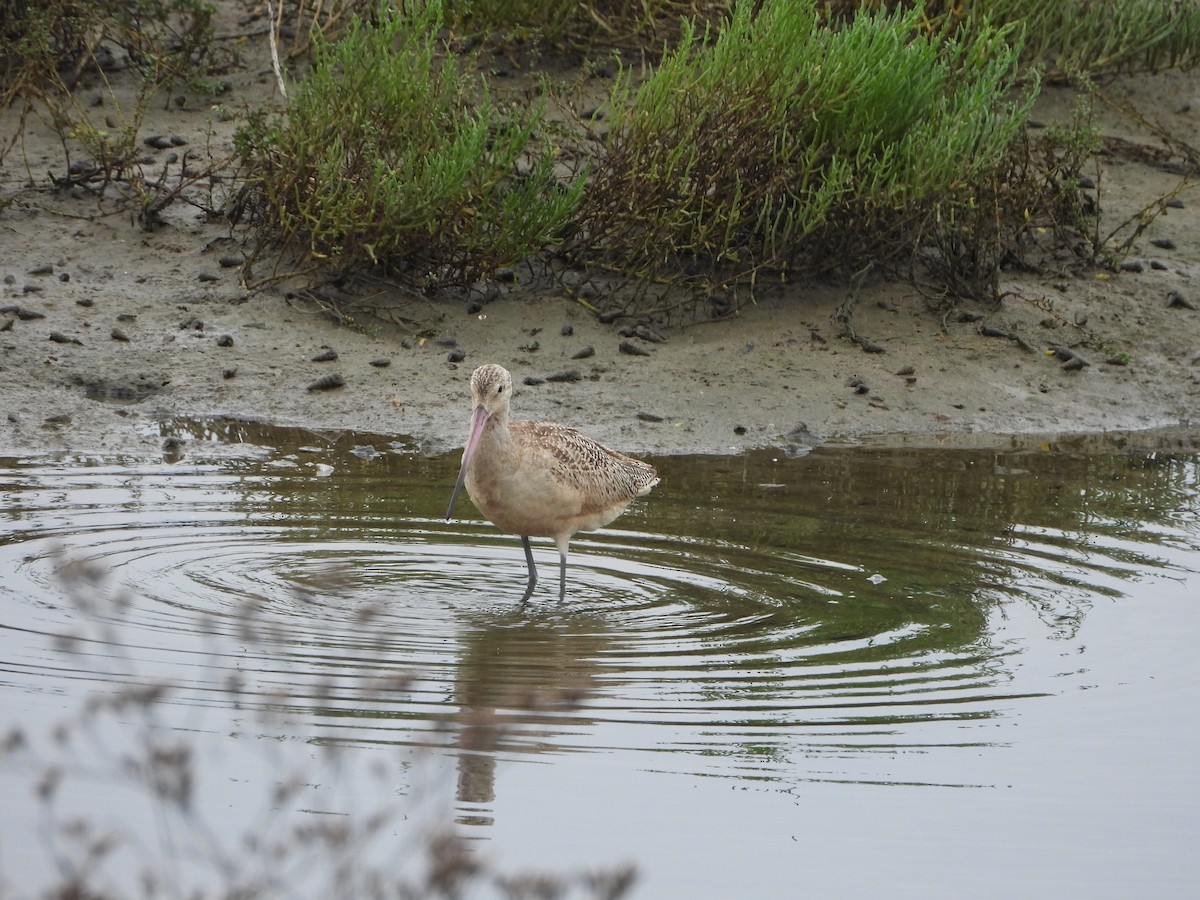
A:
[782,141]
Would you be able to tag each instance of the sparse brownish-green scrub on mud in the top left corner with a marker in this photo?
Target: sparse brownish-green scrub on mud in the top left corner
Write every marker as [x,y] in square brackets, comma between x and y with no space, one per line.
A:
[89,70]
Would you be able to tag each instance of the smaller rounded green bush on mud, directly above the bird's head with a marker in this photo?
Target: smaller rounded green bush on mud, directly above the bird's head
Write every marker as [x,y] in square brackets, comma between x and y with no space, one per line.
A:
[387,157]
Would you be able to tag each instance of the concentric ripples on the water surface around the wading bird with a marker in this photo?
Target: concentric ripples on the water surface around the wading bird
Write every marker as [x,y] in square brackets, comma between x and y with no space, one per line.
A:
[729,645]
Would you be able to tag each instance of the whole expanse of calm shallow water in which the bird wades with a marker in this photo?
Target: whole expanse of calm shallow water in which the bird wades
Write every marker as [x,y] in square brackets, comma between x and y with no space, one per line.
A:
[899,673]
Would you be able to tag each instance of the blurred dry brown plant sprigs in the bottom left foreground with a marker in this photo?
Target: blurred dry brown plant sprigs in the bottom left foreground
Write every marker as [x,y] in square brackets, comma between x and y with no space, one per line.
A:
[124,789]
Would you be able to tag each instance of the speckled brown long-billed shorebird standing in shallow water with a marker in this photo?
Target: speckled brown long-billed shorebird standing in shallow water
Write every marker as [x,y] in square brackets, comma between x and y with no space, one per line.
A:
[542,479]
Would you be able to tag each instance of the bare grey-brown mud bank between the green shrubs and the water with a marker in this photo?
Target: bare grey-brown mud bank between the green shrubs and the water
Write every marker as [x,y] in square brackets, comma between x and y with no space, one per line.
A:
[110,331]
